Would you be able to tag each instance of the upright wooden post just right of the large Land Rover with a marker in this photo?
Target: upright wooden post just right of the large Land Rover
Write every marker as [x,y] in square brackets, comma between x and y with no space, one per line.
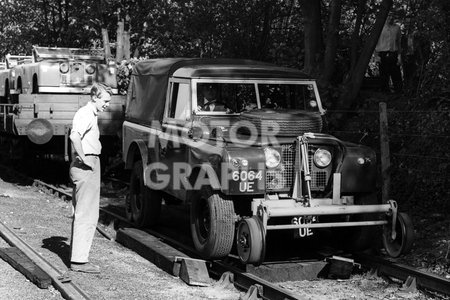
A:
[385,157]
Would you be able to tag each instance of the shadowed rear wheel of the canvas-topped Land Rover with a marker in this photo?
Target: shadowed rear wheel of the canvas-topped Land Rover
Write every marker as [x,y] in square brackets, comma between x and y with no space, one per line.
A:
[143,205]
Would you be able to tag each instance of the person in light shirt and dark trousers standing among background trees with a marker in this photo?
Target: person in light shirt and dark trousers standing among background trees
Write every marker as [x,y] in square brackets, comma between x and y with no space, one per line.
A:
[388,50]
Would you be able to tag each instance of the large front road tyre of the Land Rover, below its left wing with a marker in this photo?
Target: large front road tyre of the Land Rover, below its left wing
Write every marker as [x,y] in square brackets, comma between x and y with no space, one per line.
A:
[212,224]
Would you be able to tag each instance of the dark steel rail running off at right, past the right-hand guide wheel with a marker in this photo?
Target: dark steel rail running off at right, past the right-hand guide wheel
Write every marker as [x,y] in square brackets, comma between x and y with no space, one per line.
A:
[424,280]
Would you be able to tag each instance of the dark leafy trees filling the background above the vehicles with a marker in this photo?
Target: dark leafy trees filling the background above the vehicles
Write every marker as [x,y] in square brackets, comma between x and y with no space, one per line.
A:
[330,39]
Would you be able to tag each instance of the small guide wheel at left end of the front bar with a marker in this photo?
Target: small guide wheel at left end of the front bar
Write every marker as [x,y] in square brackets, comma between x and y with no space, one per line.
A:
[250,241]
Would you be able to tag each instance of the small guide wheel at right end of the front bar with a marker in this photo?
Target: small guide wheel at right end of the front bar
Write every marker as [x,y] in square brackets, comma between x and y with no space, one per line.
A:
[404,236]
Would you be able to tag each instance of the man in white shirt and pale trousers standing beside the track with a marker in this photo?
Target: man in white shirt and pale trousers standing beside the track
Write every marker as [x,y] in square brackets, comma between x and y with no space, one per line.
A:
[85,174]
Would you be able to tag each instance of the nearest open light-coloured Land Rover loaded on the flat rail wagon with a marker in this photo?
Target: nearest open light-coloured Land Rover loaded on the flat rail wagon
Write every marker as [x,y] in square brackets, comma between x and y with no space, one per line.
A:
[63,70]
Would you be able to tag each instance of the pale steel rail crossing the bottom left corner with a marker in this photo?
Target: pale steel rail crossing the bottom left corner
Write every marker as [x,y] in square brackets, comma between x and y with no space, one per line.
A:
[68,290]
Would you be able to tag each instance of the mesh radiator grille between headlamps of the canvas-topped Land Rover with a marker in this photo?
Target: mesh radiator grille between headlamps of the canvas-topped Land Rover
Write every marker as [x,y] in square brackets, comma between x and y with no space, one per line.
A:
[282,178]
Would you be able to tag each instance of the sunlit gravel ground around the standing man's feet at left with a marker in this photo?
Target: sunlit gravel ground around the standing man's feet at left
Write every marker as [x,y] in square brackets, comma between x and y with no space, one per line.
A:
[43,221]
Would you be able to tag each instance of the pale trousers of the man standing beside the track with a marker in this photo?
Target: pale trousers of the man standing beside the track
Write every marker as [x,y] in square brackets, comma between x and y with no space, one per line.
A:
[86,202]
